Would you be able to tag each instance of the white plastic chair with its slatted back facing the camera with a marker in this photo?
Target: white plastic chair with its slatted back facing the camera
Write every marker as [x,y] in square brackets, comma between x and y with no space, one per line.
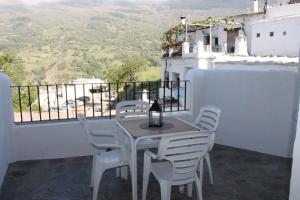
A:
[176,162]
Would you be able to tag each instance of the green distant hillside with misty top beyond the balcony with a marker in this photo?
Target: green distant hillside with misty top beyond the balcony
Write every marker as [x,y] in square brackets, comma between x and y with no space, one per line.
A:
[63,41]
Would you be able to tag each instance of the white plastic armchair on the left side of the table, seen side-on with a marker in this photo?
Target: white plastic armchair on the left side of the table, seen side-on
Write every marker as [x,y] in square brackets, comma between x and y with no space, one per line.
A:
[102,160]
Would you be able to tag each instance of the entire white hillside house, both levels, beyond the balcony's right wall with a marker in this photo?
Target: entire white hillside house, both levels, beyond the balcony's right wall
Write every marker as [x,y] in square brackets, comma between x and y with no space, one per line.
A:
[261,41]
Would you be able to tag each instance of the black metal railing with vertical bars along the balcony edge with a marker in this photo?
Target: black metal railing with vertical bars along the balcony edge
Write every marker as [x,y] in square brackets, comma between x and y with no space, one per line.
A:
[37,103]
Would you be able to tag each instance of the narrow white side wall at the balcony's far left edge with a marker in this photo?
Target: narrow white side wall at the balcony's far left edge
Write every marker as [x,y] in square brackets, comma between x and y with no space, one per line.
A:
[5,124]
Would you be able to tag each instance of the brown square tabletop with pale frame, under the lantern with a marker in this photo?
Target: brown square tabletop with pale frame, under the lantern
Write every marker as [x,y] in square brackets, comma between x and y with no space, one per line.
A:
[139,127]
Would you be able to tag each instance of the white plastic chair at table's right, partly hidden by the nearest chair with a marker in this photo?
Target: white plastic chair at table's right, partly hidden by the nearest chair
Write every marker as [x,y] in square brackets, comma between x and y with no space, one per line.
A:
[208,119]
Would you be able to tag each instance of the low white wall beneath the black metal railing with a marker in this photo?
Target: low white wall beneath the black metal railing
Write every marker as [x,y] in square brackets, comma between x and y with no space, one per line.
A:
[55,140]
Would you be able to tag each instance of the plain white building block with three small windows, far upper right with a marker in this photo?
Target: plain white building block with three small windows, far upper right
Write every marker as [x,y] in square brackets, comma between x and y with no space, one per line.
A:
[278,33]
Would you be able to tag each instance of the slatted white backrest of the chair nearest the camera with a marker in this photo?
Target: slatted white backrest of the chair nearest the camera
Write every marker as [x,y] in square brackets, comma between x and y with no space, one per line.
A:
[184,152]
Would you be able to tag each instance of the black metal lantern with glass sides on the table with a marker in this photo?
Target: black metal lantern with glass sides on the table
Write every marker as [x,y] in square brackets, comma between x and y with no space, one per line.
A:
[155,115]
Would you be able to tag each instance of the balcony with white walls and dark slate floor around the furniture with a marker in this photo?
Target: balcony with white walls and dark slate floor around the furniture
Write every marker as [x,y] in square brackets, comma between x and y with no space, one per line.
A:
[251,159]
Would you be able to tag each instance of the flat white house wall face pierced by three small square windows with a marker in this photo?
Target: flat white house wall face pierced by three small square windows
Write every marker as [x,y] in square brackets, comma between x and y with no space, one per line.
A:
[279,44]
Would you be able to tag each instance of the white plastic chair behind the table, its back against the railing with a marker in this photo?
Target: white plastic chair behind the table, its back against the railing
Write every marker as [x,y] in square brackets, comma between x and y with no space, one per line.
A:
[135,109]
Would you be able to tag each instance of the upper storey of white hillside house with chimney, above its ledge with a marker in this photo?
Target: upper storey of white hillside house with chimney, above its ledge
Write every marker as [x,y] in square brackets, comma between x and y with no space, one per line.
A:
[272,31]
